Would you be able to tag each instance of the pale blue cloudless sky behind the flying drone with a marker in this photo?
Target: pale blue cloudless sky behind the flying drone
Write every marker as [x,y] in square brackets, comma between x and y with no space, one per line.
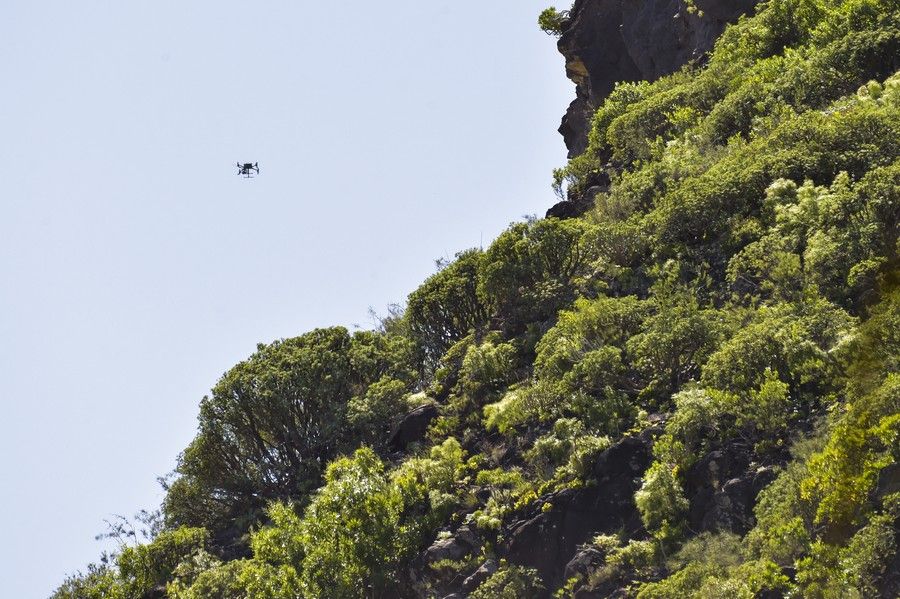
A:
[136,267]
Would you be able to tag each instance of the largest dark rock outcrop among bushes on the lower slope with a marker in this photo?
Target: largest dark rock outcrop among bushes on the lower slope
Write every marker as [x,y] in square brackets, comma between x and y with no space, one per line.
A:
[548,540]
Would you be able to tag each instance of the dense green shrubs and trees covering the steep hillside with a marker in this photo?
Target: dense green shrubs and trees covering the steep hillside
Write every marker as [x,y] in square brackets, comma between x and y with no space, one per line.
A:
[738,285]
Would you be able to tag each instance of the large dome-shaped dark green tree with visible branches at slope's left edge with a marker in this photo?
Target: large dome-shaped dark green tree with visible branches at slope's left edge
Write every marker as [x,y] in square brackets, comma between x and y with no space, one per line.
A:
[274,420]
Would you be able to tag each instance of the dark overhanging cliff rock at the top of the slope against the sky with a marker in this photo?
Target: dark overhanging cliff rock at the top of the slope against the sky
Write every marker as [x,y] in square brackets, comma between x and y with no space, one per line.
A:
[605,41]
